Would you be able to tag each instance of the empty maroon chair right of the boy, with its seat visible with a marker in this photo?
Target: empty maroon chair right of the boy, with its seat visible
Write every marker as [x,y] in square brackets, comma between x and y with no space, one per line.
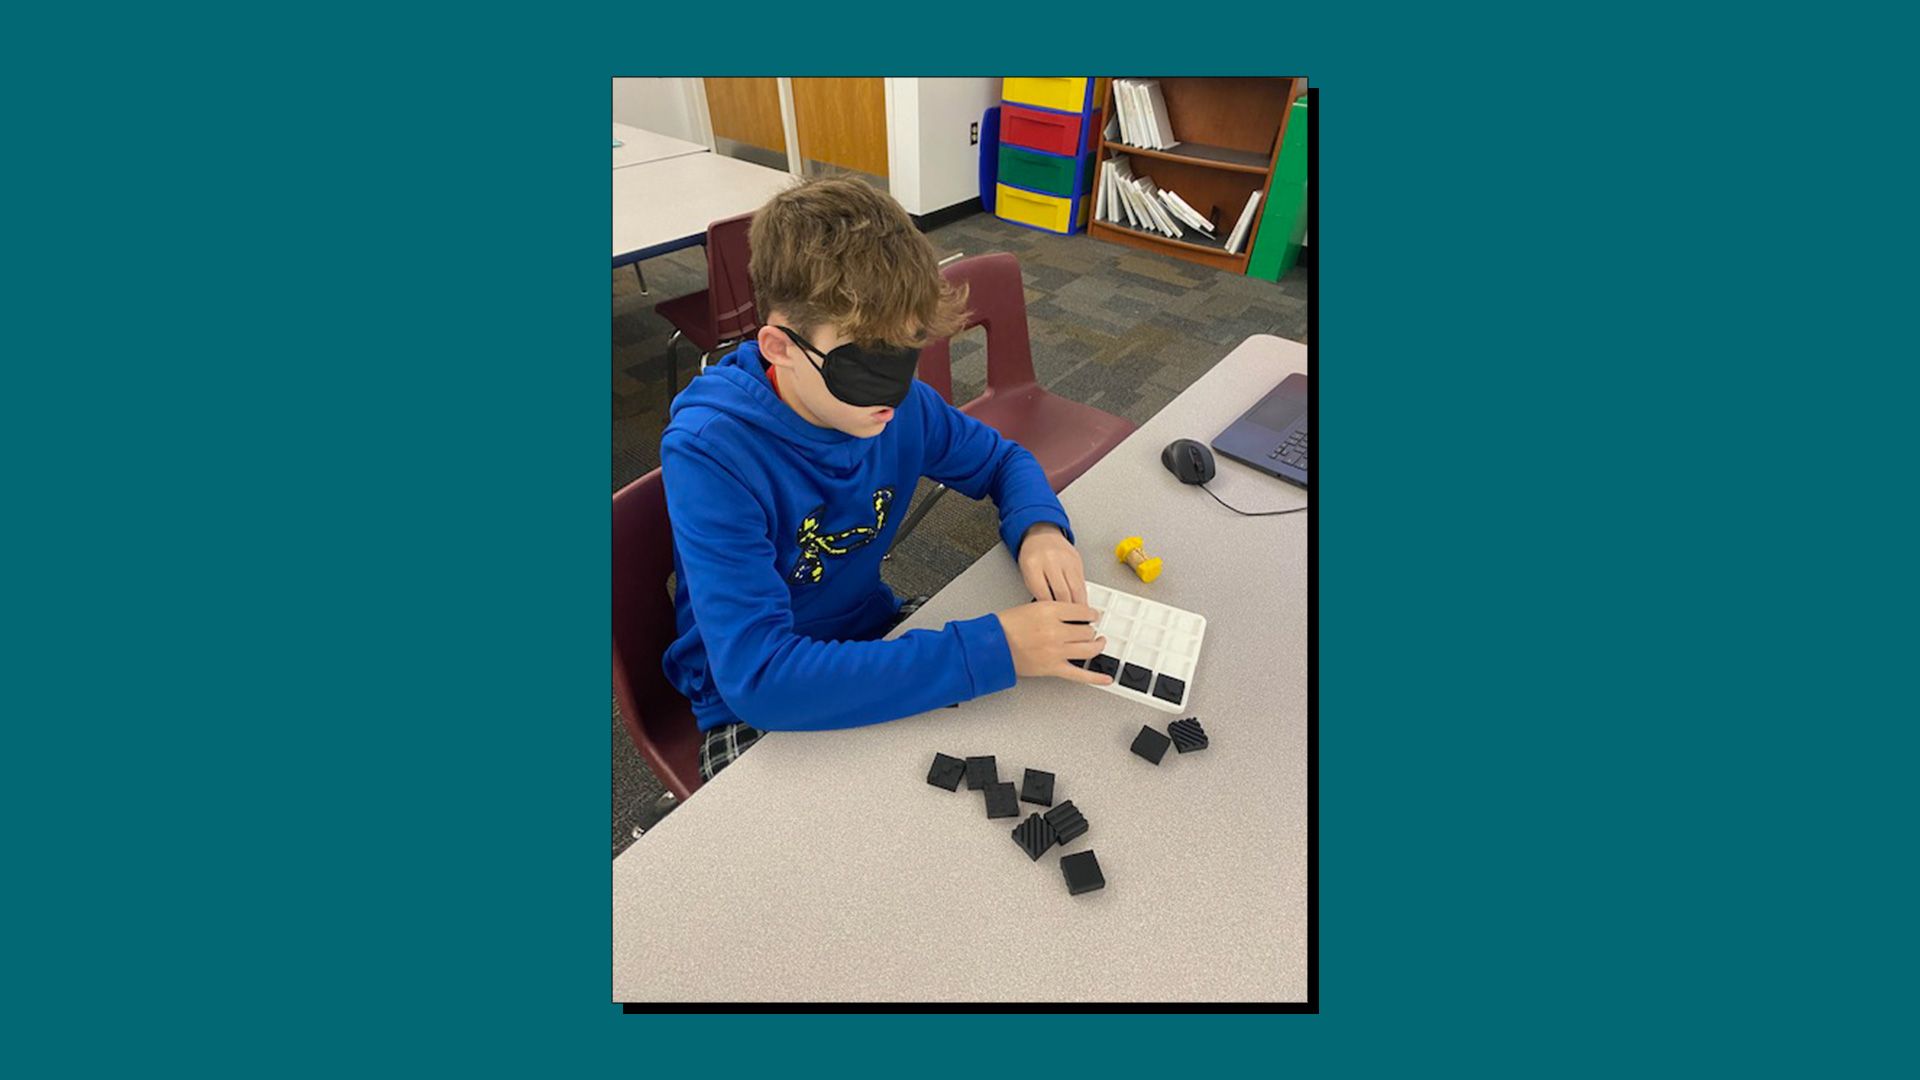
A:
[1063,435]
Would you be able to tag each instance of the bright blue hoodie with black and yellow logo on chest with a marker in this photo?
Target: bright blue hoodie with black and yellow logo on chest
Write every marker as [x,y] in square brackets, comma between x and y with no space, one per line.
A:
[779,533]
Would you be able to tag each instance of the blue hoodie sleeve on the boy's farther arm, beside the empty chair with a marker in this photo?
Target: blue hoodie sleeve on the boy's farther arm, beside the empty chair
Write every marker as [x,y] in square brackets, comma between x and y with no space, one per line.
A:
[978,462]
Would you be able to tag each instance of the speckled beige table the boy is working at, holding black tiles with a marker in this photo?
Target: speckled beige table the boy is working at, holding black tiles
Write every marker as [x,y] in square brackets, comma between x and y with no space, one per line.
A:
[825,868]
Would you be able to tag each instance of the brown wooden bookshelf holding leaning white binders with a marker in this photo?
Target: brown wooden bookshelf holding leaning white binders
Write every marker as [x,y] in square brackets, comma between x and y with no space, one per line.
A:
[1230,139]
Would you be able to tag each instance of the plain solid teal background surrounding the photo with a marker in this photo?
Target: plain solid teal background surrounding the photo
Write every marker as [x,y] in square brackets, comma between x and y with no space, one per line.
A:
[310,545]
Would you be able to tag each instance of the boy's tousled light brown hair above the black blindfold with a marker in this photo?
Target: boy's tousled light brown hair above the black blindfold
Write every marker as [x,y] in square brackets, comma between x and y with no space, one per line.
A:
[838,251]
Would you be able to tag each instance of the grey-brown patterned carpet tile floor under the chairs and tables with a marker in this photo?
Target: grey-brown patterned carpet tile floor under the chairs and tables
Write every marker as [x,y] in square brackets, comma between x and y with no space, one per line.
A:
[1118,330]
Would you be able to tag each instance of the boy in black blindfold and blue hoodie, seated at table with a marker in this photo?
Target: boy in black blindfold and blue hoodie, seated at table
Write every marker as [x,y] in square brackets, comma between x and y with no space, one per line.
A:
[790,466]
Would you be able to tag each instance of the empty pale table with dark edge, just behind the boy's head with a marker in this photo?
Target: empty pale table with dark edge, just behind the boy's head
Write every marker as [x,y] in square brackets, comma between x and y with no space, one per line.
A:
[669,205]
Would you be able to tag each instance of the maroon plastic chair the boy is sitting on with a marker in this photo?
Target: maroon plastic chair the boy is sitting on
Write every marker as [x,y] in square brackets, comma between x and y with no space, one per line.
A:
[658,718]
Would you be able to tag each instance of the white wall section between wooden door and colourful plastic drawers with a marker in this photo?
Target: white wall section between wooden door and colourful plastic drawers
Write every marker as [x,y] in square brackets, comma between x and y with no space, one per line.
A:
[928,126]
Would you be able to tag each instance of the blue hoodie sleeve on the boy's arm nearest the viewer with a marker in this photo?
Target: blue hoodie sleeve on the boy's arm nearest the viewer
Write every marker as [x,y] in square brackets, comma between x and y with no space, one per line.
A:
[775,679]
